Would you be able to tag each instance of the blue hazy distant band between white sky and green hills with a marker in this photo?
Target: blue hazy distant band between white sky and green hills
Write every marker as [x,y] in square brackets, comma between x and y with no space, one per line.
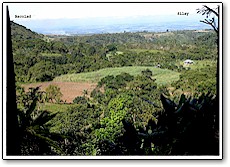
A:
[112,25]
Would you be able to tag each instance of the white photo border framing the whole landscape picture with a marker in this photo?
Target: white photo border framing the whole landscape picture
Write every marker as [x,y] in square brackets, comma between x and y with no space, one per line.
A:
[3,60]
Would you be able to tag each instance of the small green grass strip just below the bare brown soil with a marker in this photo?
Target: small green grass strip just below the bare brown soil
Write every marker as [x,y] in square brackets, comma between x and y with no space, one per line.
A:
[53,107]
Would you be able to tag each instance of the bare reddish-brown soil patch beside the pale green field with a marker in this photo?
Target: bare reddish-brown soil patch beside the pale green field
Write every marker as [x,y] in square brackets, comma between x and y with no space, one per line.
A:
[70,90]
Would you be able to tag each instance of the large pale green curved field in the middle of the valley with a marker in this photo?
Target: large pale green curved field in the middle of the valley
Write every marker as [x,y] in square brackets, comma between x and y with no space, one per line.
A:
[162,76]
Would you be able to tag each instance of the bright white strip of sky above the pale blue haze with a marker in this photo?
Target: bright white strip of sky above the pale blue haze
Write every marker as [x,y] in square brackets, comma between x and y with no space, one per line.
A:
[91,10]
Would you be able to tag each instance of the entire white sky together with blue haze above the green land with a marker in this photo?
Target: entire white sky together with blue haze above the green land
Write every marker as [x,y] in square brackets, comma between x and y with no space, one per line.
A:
[91,18]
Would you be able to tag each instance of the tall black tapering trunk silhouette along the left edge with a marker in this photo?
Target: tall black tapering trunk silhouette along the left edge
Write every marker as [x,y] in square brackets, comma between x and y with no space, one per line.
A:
[12,129]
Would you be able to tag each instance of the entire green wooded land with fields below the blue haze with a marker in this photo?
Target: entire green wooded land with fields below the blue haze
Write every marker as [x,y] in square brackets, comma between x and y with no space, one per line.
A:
[143,100]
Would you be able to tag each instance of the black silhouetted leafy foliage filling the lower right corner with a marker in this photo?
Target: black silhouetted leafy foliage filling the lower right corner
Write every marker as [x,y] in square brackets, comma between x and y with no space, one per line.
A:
[189,128]
